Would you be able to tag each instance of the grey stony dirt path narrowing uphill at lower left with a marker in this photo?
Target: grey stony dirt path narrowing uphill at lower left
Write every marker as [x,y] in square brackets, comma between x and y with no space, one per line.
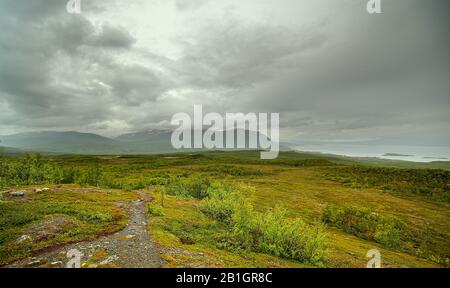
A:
[130,248]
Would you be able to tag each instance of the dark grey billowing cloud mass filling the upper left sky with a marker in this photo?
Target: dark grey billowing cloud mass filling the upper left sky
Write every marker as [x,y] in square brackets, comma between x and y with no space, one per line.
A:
[50,69]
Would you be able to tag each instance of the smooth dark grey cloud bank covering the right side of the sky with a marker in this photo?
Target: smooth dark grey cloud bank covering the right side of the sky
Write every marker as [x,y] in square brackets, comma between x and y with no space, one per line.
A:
[384,72]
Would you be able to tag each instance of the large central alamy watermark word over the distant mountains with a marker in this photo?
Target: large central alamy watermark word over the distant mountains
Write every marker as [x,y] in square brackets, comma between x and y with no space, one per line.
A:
[234,131]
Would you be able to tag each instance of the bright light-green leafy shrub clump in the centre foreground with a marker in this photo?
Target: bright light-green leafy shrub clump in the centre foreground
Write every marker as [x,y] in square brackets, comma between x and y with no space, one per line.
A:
[271,232]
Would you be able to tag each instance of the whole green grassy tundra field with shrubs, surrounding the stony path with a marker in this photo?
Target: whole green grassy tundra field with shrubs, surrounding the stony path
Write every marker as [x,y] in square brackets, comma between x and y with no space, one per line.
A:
[230,209]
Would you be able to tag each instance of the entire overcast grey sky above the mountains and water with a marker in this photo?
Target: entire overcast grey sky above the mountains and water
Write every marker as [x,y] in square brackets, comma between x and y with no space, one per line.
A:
[335,73]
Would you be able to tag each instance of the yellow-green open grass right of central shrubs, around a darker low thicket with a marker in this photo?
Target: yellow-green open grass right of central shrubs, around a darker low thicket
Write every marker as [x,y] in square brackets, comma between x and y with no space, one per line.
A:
[305,193]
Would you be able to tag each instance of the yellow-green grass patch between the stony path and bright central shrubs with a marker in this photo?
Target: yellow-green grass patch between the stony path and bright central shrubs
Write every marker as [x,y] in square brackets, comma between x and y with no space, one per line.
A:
[182,219]
